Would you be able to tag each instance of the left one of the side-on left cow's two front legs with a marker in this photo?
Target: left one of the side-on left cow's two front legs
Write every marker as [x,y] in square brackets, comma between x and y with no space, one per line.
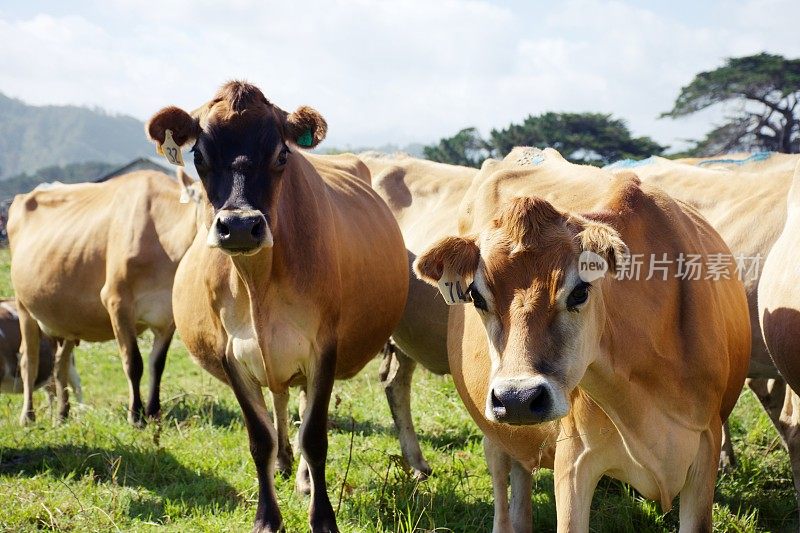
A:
[125,332]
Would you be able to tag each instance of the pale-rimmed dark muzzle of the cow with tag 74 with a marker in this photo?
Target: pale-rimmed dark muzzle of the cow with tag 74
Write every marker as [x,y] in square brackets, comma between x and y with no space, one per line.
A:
[525,400]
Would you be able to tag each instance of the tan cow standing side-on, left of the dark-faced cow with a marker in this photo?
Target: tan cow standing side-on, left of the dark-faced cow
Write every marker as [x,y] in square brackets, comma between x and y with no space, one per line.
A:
[96,261]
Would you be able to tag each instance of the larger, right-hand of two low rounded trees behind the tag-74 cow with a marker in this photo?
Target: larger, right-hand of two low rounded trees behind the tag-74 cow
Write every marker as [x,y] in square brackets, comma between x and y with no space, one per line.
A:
[587,138]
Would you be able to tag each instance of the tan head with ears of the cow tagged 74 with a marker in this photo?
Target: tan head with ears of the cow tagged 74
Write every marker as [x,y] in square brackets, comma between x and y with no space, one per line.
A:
[542,319]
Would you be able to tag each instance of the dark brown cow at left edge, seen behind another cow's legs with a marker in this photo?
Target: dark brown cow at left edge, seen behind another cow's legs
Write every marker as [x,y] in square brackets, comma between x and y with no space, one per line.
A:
[10,339]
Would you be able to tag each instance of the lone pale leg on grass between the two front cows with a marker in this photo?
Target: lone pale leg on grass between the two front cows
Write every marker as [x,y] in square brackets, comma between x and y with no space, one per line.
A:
[397,370]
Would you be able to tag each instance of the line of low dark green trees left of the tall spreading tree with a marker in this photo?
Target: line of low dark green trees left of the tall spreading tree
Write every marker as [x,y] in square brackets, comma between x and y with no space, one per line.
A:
[592,138]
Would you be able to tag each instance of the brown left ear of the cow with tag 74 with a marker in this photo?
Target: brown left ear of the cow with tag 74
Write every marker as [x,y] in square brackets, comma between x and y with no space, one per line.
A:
[458,255]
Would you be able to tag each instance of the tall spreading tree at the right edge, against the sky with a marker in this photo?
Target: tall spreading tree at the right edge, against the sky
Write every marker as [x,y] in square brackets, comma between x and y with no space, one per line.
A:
[764,90]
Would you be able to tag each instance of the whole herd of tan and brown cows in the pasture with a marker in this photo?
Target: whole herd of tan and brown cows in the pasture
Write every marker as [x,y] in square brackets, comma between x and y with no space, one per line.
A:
[281,268]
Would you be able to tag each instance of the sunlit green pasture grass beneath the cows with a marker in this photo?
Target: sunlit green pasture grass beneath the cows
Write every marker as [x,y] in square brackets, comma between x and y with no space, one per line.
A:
[193,472]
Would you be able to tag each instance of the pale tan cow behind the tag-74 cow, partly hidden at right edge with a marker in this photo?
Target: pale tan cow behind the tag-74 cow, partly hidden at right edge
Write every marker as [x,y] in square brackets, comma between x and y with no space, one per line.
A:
[744,198]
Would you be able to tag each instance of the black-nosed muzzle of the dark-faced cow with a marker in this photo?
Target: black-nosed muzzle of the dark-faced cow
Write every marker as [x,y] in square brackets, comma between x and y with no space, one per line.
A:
[239,232]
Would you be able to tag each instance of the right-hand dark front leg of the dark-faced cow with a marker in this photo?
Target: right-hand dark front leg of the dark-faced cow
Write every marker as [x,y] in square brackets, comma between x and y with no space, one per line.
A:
[314,441]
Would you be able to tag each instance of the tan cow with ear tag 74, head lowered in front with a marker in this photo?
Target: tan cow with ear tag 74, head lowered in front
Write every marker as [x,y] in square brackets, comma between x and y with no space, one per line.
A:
[640,372]
